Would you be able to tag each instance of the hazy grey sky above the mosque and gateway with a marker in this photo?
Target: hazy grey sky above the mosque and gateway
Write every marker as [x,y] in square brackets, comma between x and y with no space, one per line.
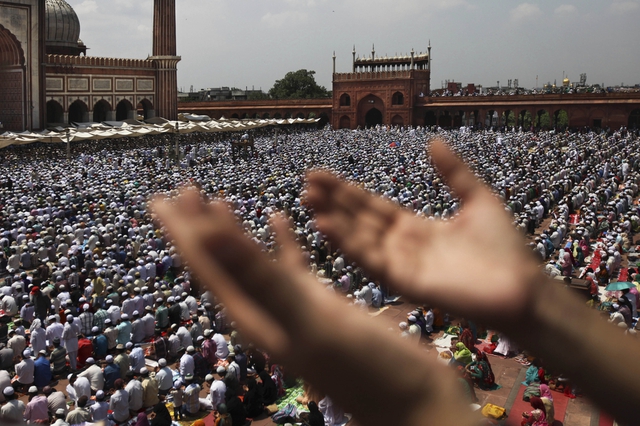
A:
[252,43]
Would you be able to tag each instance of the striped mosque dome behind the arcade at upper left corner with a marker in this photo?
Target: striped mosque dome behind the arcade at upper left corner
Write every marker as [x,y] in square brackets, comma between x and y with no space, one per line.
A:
[62,29]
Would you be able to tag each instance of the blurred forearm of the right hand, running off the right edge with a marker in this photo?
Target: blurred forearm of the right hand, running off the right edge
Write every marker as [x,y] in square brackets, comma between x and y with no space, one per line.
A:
[577,341]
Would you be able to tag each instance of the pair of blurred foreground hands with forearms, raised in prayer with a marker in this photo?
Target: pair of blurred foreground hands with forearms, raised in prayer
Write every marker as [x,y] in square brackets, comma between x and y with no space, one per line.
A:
[400,249]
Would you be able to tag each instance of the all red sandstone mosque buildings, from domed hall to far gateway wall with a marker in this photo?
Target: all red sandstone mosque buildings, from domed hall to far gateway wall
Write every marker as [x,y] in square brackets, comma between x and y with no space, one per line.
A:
[47,79]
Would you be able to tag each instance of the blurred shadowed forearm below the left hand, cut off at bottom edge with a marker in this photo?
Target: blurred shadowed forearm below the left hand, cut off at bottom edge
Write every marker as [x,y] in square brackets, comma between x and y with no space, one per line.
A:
[398,378]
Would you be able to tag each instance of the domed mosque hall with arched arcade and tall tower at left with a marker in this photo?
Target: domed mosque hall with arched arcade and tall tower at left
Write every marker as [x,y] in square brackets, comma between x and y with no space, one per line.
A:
[46,78]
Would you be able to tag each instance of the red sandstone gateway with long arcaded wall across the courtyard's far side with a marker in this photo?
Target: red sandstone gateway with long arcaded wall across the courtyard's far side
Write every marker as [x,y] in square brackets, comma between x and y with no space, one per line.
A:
[395,91]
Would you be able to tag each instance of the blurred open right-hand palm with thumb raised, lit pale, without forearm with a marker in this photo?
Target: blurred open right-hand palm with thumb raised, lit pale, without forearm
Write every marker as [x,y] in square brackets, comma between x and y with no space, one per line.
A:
[475,265]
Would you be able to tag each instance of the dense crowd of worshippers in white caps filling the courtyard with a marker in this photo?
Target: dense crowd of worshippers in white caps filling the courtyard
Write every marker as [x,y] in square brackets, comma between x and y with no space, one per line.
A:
[93,292]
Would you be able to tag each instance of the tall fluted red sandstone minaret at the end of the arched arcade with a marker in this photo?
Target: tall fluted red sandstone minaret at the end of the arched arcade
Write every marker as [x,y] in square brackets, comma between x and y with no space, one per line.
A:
[164,56]
